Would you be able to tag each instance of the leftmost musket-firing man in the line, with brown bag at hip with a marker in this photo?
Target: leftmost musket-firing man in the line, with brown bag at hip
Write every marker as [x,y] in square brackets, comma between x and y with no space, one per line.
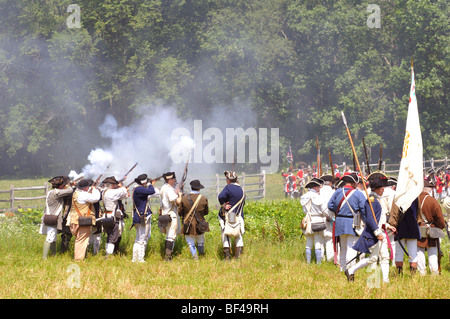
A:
[52,220]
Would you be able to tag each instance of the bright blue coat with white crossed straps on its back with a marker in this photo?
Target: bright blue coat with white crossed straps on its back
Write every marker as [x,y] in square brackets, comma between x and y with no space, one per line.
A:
[344,218]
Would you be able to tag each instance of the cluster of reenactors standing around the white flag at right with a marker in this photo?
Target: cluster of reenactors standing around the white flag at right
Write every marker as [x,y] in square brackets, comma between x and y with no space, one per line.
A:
[343,225]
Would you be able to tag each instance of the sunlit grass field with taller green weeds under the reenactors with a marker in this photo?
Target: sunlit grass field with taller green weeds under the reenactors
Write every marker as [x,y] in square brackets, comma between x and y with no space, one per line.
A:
[272,266]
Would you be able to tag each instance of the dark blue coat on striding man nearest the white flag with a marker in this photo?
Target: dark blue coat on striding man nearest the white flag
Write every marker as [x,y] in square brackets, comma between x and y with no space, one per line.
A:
[368,238]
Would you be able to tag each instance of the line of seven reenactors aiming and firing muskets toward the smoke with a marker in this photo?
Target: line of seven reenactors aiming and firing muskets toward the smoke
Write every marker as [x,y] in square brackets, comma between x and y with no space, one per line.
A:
[87,209]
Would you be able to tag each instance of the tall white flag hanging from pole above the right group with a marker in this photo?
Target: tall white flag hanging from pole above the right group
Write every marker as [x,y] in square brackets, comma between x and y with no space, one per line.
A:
[410,176]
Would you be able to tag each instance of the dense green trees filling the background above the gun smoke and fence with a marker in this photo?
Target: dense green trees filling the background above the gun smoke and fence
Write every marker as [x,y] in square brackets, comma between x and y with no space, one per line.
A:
[297,64]
